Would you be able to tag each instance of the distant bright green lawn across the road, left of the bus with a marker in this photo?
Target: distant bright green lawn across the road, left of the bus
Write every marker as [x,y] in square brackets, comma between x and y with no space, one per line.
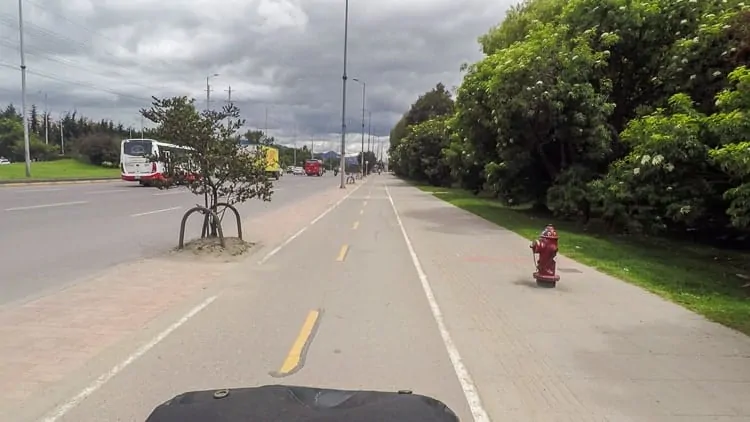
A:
[58,170]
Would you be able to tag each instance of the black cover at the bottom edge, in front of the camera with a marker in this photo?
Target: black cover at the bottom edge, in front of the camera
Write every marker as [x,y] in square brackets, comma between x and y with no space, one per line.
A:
[283,403]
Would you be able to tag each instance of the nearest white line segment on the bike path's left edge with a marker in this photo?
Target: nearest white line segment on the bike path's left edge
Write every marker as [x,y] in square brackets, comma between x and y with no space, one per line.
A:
[104,378]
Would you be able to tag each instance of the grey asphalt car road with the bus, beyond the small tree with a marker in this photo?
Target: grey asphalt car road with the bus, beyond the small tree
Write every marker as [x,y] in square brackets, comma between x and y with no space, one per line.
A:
[52,235]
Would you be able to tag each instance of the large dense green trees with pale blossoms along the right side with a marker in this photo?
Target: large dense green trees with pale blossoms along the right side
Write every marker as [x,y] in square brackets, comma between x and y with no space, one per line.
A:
[637,111]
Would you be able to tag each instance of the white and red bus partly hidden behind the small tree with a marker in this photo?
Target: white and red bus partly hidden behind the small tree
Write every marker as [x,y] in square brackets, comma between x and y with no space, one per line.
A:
[135,159]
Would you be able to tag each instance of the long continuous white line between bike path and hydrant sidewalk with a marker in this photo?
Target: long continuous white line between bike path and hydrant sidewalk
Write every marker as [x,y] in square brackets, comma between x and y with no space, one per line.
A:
[464,377]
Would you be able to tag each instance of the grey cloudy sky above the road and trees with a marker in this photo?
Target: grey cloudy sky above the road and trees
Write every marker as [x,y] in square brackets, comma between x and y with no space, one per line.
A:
[282,58]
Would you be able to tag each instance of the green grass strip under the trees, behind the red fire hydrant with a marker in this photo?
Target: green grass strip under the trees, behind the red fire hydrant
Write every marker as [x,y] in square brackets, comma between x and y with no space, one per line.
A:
[700,278]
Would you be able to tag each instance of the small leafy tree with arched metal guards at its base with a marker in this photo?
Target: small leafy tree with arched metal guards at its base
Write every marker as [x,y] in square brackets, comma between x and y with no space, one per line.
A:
[210,162]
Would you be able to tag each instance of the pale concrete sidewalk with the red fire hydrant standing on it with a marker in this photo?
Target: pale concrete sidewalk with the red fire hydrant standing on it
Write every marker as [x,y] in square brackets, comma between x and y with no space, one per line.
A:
[595,348]
